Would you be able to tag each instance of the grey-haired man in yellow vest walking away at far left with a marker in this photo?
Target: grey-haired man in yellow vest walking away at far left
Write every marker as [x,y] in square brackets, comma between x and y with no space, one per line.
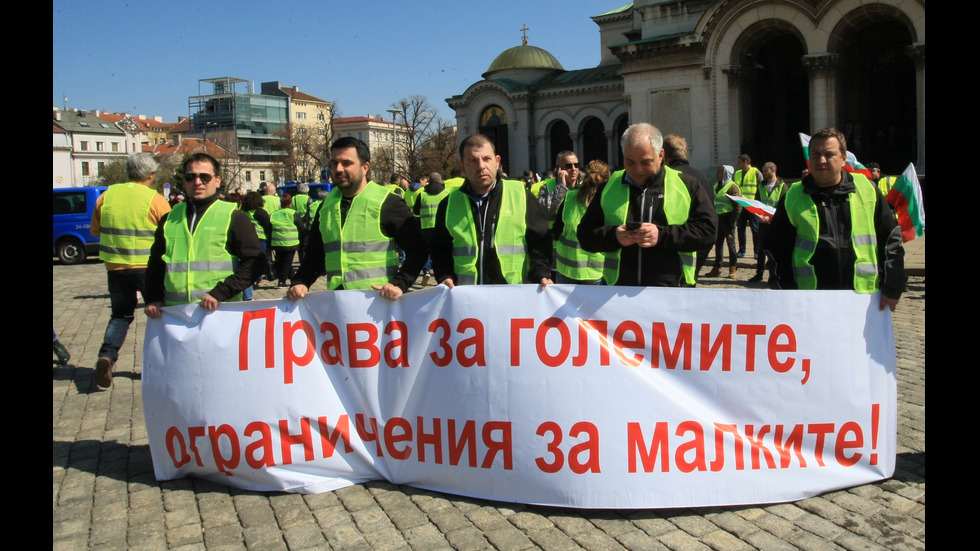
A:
[124,219]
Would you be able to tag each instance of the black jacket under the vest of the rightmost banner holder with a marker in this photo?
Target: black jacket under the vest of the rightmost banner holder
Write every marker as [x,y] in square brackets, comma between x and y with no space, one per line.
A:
[833,259]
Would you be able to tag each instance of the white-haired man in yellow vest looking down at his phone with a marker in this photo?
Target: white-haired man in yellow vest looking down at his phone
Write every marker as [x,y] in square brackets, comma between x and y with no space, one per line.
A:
[650,219]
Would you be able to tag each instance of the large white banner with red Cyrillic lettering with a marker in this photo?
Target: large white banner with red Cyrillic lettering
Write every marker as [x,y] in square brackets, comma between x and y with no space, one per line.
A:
[579,396]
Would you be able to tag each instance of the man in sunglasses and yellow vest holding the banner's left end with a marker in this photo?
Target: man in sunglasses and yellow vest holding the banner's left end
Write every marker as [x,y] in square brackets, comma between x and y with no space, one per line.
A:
[185,264]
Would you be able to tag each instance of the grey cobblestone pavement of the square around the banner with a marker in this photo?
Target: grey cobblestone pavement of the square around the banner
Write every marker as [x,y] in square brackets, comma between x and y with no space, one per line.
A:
[106,497]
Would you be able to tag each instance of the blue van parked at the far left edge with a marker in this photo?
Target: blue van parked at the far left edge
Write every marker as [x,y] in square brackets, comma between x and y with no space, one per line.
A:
[72,239]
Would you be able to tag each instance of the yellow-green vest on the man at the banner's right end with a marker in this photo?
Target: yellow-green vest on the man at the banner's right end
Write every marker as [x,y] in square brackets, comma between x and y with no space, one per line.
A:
[803,215]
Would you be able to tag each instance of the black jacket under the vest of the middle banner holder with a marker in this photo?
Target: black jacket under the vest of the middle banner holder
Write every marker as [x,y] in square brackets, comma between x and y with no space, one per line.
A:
[537,235]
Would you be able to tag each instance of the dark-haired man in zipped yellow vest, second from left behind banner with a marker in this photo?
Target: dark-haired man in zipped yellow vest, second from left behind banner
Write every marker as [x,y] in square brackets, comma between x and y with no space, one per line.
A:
[355,235]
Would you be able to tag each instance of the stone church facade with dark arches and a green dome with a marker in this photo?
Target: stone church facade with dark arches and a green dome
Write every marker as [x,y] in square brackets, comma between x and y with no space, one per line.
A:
[732,76]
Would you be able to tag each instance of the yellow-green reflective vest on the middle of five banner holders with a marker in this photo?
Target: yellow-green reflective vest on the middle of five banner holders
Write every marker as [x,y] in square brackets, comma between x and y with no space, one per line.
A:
[509,237]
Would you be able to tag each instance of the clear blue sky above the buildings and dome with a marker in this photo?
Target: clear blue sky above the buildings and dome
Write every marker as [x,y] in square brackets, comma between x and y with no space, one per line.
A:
[147,57]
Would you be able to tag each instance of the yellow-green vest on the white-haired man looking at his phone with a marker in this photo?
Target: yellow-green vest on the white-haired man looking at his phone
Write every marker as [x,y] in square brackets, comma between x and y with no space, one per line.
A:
[677,206]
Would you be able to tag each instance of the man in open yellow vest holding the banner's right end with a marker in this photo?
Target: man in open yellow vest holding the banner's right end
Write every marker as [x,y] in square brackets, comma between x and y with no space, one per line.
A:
[834,230]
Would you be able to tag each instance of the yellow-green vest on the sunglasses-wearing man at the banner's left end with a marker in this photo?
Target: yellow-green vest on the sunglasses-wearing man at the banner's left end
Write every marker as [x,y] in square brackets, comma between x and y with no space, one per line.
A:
[199,261]
